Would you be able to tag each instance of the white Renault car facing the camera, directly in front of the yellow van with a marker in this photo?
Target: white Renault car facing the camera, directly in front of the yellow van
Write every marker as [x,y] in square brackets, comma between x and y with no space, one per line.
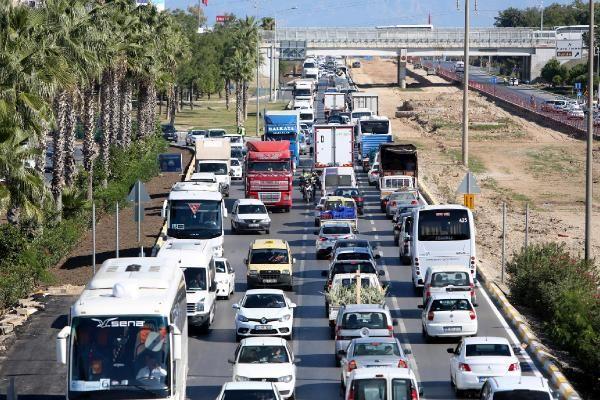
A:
[264,312]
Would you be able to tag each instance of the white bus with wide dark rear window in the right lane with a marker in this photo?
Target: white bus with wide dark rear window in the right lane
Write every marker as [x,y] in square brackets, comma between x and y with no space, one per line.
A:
[441,235]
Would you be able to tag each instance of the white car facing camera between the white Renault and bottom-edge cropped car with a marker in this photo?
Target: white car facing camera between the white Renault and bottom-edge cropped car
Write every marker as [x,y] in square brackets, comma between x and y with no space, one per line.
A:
[266,359]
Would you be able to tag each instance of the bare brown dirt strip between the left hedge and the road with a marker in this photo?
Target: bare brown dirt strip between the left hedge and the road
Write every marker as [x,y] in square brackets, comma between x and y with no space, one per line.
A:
[76,268]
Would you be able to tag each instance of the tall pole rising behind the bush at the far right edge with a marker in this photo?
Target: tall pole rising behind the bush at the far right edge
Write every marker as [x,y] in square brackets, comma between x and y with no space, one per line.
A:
[590,140]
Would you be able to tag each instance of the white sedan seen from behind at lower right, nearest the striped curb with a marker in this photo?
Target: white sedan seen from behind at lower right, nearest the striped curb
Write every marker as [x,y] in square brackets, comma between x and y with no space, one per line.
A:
[476,359]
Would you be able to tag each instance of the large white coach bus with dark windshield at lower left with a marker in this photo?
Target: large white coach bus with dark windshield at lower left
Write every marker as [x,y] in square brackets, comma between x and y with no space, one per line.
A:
[127,333]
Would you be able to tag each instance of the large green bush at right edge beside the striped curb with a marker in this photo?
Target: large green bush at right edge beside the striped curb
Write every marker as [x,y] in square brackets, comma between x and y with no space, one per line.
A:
[562,290]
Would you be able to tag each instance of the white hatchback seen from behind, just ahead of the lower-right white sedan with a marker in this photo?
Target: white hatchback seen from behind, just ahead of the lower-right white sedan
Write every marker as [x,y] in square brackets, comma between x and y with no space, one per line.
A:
[449,314]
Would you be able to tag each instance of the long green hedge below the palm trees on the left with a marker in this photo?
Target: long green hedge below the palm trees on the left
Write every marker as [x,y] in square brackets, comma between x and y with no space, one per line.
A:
[25,257]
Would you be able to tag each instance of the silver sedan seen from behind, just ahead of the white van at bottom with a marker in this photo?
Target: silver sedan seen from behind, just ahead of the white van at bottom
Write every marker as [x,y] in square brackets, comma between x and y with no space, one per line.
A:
[368,352]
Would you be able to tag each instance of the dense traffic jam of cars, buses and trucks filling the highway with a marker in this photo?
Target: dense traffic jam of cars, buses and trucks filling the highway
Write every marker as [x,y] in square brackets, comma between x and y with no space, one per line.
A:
[327,168]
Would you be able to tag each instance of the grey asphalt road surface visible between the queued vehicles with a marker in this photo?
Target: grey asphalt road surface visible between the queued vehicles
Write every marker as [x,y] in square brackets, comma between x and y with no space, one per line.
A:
[31,359]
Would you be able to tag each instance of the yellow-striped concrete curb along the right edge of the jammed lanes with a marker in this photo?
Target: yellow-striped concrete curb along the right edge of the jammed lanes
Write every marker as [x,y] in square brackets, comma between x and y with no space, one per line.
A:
[524,333]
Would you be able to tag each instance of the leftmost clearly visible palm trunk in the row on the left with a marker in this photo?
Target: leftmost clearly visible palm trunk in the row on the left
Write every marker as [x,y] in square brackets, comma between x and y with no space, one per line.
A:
[58,157]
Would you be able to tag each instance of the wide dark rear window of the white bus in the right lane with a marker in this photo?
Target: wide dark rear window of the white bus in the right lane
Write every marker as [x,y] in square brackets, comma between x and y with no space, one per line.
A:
[444,225]
